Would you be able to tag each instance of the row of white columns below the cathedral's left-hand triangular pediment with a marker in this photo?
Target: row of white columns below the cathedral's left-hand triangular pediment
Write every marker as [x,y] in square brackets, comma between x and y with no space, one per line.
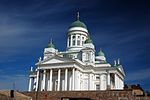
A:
[45,78]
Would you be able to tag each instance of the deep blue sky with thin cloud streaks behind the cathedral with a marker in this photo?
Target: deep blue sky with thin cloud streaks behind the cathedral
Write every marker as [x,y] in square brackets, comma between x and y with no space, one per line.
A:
[120,27]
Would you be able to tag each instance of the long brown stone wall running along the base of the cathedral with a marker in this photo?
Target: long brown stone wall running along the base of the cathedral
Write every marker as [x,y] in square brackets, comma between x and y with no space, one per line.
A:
[85,95]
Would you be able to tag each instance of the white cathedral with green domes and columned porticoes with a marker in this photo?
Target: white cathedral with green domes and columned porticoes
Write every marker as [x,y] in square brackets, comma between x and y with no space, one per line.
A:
[78,68]
